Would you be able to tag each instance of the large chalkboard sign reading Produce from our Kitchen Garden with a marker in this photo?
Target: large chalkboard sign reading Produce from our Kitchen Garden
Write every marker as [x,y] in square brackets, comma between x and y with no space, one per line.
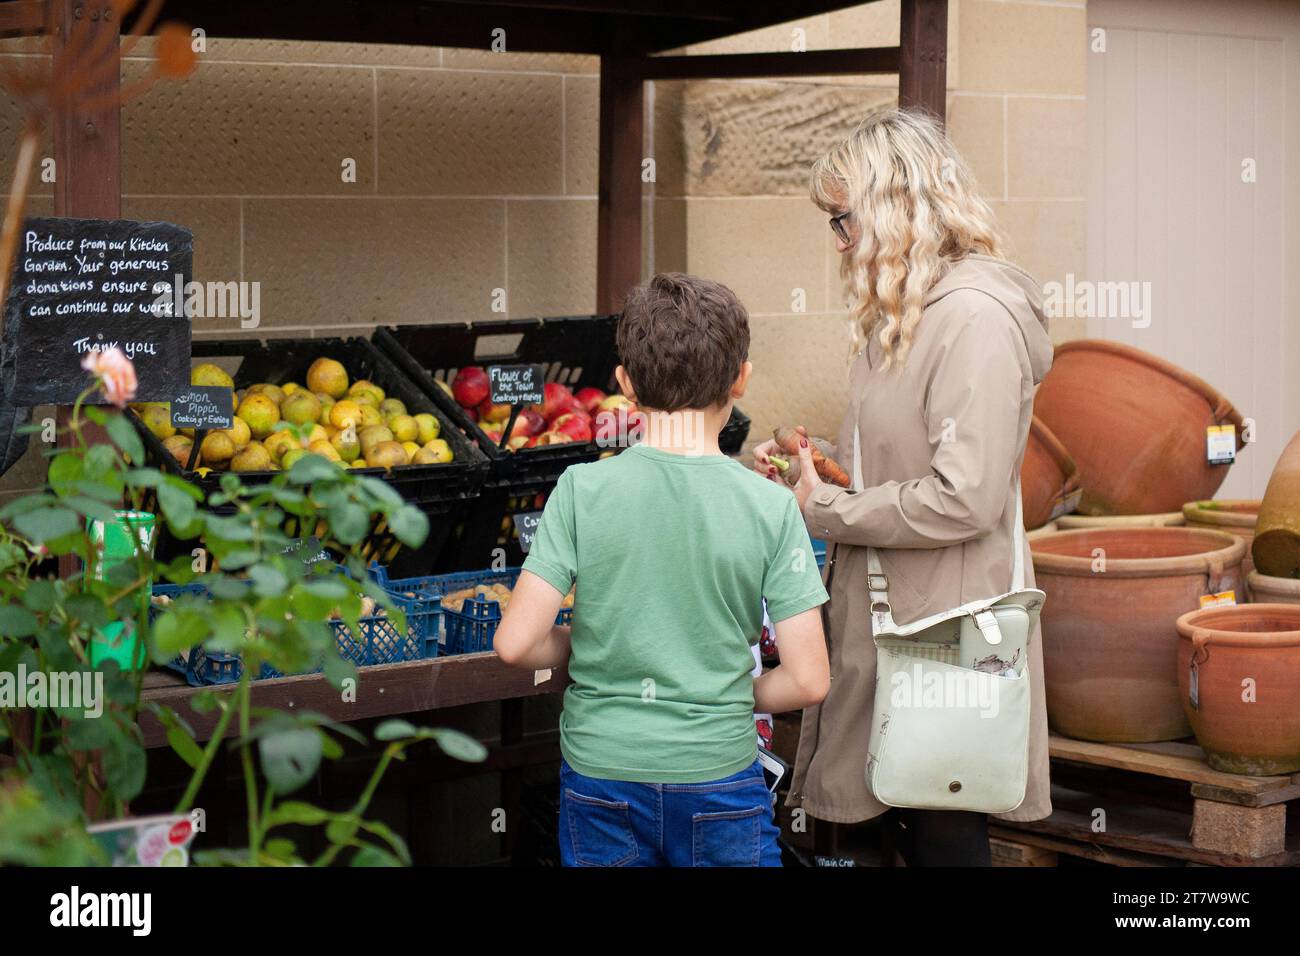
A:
[84,285]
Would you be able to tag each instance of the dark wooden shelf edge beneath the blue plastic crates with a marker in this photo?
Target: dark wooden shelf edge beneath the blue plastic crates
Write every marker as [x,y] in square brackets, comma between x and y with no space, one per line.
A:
[382,691]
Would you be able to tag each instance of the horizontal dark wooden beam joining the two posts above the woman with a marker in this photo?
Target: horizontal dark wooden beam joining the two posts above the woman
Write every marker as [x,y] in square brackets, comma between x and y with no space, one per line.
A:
[814,63]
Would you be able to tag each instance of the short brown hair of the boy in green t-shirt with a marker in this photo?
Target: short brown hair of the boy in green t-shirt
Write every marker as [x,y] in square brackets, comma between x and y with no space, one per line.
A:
[683,341]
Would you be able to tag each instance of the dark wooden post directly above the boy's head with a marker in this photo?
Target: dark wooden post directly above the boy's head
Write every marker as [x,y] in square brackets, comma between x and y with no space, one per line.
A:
[618,261]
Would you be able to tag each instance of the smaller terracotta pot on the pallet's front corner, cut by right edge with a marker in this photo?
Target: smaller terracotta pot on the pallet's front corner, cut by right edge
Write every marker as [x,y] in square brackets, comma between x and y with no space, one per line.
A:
[1247,663]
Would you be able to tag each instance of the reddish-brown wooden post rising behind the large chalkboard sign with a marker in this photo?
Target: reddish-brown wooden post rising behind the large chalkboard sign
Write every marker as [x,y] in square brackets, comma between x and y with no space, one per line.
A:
[88,144]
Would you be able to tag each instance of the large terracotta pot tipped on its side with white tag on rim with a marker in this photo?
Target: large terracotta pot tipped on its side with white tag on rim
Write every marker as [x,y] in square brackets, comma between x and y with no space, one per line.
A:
[1136,426]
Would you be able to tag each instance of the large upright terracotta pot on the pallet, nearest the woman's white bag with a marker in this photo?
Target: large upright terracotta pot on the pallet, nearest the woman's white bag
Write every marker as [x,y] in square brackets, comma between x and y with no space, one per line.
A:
[1110,641]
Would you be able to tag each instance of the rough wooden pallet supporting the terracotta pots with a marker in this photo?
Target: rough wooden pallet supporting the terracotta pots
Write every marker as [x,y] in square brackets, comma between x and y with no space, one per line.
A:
[1160,804]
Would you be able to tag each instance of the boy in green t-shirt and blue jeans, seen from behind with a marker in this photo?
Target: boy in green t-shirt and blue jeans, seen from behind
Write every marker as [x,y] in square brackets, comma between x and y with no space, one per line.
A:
[673,547]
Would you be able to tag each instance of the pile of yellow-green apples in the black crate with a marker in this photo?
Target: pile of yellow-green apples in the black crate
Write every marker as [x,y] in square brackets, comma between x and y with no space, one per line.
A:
[353,423]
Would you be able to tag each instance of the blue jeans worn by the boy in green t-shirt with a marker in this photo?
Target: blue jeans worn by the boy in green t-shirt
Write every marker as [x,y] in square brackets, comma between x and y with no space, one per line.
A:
[725,823]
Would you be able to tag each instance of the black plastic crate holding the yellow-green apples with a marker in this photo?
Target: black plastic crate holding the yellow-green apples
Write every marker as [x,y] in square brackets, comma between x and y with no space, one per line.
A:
[443,491]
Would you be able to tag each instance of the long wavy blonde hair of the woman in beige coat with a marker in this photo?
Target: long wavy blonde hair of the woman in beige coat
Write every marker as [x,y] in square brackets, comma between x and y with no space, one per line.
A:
[916,211]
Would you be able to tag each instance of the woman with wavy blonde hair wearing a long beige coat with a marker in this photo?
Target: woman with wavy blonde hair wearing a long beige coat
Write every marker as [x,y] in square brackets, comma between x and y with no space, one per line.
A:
[951,345]
